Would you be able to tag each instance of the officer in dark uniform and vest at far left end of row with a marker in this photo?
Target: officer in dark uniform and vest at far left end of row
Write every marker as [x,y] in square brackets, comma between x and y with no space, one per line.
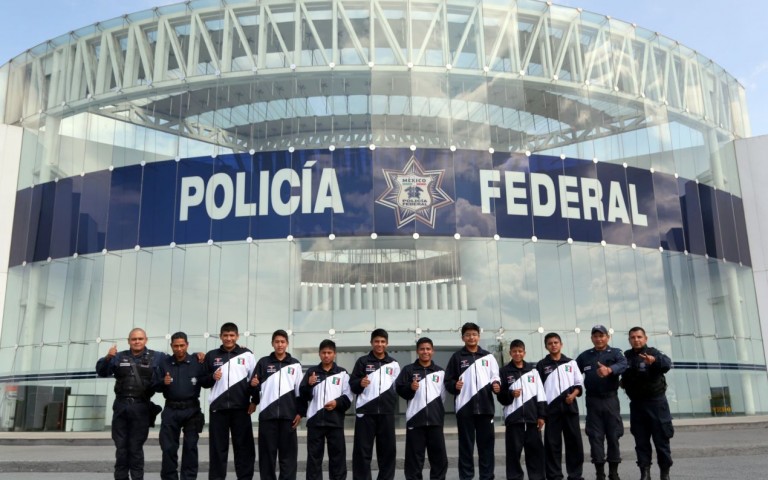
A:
[134,371]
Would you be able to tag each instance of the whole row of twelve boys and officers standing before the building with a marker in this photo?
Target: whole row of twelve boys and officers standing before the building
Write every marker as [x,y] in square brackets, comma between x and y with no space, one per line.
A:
[535,398]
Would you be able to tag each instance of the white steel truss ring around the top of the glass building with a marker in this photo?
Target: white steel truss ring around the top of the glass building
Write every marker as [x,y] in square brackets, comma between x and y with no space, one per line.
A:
[130,67]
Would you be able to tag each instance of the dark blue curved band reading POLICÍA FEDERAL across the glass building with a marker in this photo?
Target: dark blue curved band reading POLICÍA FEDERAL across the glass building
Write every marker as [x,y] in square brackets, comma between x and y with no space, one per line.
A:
[390,192]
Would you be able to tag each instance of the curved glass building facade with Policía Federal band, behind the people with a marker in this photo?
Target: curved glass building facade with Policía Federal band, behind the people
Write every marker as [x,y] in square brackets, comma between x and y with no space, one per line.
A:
[330,167]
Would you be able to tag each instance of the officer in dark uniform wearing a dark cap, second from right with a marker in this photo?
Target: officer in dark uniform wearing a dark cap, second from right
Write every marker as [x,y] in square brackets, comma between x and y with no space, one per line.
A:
[601,367]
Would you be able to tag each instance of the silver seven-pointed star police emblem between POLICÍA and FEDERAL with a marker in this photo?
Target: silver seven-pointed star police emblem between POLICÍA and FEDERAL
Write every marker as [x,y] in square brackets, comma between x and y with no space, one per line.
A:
[414,194]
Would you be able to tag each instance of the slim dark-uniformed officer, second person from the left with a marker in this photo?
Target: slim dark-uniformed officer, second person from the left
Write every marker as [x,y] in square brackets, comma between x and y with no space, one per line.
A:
[181,374]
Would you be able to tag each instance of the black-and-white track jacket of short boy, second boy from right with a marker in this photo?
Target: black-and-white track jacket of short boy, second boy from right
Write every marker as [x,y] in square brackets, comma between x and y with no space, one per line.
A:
[532,403]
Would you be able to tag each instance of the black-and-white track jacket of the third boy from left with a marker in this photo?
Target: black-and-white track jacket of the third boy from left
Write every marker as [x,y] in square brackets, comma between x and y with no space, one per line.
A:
[331,385]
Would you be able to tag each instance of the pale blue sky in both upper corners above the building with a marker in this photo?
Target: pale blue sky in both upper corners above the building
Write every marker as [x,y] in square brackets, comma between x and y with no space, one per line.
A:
[734,34]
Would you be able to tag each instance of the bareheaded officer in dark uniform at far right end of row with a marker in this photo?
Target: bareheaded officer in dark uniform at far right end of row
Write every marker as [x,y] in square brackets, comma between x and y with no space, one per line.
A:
[649,415]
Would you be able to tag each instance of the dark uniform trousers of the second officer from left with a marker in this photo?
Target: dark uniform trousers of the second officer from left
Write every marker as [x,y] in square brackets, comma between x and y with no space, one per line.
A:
[174,421]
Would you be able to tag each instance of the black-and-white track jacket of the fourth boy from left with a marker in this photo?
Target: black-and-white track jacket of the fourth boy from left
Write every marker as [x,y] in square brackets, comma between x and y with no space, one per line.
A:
[379,398]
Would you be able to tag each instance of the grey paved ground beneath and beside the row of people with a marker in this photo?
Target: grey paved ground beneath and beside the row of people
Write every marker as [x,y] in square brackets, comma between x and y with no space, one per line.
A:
[703,449]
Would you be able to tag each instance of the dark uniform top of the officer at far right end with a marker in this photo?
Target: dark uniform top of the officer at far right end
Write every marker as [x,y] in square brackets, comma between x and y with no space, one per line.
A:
[642,381]
